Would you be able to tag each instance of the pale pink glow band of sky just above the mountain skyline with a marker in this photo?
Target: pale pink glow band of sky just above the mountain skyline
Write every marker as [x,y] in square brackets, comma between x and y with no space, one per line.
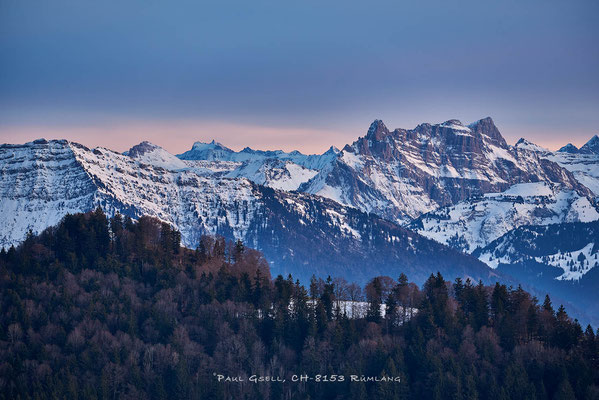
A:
[178,136]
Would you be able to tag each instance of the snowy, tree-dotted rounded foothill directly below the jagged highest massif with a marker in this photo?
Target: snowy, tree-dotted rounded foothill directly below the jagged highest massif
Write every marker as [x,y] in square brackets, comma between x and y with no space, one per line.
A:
[476,222]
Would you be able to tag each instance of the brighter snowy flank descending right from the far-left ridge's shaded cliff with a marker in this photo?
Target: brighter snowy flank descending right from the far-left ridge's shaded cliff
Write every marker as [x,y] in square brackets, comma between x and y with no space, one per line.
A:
[183,198]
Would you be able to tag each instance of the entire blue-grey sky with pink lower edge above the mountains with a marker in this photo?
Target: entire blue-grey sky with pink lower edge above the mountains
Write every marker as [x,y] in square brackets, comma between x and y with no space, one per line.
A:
[294,74]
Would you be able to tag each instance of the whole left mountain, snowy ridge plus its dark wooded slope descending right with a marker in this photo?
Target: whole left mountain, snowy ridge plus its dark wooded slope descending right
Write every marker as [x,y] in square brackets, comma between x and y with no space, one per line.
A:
[299,233]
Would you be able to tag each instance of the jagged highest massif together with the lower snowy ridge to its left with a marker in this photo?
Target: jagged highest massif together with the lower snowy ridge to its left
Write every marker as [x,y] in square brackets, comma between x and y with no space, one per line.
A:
[399,174]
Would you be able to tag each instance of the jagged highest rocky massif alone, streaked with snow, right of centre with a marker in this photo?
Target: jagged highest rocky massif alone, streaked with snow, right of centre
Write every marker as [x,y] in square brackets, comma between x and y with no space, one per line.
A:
[402,174]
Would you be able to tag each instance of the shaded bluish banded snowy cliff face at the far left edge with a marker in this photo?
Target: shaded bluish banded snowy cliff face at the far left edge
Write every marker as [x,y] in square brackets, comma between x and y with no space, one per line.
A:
[39,183]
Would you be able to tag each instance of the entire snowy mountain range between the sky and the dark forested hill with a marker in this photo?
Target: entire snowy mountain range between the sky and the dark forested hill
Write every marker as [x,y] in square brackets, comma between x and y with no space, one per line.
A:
[446,197]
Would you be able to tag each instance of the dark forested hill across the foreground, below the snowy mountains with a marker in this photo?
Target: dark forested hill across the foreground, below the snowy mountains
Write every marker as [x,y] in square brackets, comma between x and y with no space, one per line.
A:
[106,309]
